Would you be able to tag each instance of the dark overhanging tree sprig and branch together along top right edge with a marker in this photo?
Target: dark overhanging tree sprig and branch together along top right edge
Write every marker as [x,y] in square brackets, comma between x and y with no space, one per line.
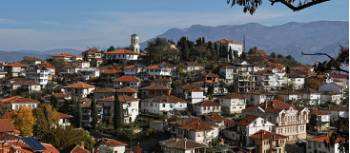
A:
[251,5]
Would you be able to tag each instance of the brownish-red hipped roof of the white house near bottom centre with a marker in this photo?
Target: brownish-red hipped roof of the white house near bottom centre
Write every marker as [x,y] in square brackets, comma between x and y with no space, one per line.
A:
[195,124]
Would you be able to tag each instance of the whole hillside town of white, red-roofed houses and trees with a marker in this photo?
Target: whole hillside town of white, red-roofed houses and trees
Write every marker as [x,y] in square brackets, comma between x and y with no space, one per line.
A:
[172,97]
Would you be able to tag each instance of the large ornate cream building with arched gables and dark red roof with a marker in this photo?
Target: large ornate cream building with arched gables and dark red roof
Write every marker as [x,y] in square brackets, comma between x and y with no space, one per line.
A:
[289,120]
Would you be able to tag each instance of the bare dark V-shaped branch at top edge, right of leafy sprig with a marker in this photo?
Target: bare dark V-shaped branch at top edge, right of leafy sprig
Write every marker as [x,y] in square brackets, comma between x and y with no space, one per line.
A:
[300,6]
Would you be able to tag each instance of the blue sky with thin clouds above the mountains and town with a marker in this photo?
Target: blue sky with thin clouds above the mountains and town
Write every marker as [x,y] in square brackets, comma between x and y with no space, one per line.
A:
[79,24]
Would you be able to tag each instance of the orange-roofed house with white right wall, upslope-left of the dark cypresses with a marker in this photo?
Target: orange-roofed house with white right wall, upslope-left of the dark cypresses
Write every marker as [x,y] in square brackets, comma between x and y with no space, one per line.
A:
[79,89]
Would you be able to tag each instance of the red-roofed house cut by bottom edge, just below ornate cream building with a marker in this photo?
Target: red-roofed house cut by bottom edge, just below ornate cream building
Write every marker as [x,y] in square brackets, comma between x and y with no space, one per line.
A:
[265,141]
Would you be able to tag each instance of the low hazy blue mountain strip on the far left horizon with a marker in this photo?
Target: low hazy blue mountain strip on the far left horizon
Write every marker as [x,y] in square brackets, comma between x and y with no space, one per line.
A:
[10,56]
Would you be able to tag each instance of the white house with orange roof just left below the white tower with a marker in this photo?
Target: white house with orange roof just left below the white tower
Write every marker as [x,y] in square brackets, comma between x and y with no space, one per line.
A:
[121,54]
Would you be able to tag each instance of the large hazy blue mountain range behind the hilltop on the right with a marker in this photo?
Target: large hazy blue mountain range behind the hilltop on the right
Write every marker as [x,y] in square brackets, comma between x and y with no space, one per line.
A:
[290,38]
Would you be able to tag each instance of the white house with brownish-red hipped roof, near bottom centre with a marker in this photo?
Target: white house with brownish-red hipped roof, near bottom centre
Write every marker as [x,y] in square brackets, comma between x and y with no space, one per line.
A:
[197,130]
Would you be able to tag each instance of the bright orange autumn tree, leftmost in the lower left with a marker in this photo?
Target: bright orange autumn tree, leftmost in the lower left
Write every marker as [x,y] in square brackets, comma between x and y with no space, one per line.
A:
[24,120]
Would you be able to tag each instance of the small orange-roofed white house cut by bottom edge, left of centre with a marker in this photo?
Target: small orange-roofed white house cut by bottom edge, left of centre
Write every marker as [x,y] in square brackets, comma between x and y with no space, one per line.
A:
[111,146]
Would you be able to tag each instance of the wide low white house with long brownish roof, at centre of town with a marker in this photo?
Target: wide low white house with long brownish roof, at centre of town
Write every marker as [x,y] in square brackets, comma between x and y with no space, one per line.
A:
[163,105]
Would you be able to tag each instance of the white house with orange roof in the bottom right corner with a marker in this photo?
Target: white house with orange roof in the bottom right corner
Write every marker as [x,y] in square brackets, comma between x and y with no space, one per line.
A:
[322,144]
